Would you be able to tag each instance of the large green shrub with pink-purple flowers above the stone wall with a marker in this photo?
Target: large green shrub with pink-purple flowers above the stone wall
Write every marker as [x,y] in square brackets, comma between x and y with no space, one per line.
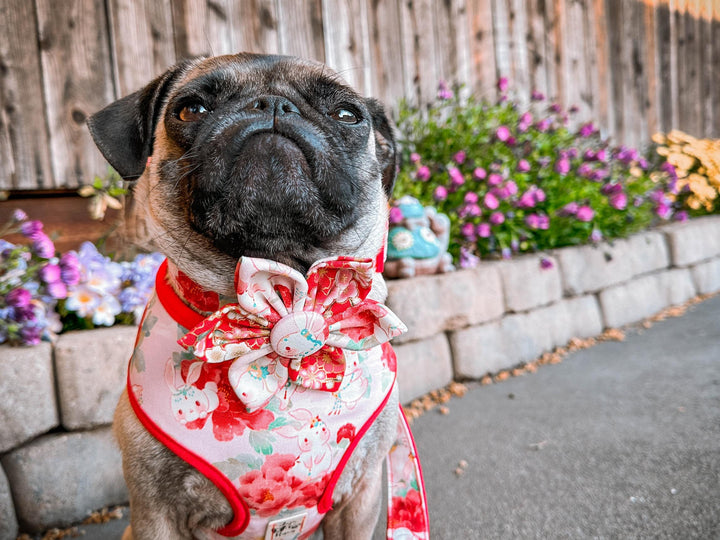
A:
[516,180]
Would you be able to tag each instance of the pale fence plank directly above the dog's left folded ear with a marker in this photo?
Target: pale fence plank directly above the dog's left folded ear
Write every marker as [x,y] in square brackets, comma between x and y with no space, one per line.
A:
[142,40]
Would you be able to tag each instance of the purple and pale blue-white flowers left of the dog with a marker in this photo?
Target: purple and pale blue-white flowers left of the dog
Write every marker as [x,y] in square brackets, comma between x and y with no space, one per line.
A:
[42,293]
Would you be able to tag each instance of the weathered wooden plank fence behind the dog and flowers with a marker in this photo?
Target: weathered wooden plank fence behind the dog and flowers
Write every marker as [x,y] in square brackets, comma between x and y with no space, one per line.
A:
[635,66]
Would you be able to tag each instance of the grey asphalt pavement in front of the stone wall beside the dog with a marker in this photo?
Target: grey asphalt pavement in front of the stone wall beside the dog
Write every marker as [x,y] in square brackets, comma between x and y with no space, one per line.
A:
[621,440]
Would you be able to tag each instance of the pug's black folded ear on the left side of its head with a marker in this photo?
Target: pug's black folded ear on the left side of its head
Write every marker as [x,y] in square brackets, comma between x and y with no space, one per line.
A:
[124,130]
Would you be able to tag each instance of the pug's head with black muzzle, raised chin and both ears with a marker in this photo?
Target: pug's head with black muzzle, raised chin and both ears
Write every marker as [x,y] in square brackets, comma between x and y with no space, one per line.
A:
[264,156]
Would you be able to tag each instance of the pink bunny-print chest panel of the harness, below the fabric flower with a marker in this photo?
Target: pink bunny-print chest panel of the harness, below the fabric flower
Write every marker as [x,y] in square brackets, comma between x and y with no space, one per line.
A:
[282,460]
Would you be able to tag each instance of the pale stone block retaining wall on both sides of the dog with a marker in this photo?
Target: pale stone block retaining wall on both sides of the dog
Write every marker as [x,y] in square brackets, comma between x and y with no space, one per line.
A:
[59,462]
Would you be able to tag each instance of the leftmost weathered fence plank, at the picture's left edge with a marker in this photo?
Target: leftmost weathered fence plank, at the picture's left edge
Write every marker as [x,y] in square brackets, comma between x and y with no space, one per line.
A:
[24,148]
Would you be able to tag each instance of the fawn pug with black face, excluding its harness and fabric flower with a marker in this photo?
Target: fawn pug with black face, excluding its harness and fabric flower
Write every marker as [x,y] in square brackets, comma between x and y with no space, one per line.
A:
[257,156]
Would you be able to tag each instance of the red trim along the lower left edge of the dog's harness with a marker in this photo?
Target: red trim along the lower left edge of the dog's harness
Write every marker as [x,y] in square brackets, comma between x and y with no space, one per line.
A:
[241,515]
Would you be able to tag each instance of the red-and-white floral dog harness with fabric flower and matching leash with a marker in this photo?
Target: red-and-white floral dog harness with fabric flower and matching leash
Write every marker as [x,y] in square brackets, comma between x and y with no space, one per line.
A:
[269,396]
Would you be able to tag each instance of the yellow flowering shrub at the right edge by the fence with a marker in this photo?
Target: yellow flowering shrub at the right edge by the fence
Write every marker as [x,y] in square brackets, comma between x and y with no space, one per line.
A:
[693,166]
